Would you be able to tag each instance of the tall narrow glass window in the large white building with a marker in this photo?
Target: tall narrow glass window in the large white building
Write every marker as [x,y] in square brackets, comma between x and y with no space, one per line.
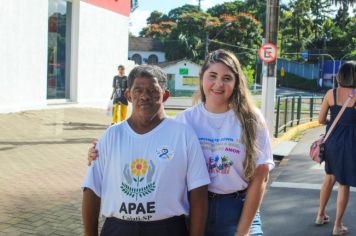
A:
[59,27]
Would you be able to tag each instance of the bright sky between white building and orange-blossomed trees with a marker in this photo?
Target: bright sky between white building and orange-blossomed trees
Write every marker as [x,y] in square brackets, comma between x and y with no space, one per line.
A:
[145,7]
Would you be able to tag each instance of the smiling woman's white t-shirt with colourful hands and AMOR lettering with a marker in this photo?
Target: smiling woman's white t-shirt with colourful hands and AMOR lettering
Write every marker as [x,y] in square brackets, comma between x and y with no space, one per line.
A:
[220,138]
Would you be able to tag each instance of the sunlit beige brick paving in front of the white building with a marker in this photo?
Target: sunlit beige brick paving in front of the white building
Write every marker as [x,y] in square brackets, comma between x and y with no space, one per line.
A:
[43,162]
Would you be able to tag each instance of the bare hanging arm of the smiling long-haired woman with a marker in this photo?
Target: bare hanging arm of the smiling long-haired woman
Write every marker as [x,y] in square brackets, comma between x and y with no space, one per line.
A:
[253,199]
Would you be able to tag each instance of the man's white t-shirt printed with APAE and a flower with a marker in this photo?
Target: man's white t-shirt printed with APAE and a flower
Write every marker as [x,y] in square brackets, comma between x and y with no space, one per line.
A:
[145,177]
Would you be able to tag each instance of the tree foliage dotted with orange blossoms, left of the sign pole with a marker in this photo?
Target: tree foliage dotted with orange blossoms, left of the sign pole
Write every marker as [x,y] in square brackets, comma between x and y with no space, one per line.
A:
[184,31]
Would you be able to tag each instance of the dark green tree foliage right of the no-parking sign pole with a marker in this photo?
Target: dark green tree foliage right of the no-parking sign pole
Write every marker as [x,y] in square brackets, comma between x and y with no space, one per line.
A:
[309,25]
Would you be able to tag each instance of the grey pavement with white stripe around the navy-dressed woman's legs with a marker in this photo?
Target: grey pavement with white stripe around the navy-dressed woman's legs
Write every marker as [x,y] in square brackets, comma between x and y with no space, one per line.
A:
[292,200]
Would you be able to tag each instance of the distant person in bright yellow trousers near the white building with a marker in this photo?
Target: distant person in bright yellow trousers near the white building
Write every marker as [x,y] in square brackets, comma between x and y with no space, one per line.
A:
[118,96]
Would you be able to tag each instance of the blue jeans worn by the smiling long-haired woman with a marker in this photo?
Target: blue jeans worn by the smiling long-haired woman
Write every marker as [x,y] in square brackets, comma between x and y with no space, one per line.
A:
[224,215]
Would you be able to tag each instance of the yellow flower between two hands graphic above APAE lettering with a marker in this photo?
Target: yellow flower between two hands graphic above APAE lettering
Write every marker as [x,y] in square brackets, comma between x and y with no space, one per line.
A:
[135,174]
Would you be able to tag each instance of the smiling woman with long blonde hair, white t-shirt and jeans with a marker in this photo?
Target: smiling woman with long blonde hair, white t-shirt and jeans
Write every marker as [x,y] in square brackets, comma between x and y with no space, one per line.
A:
[236,146]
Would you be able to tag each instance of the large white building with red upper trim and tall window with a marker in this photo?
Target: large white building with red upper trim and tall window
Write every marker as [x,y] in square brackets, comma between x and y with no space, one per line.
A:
[60,51]
